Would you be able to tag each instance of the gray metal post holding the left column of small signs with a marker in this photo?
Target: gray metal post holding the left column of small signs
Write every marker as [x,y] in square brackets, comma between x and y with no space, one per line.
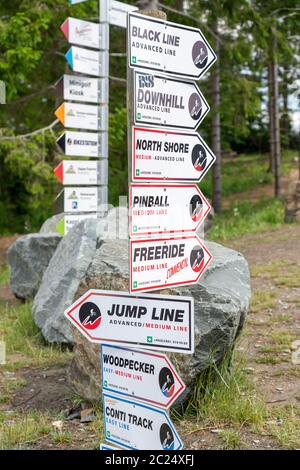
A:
[104,31]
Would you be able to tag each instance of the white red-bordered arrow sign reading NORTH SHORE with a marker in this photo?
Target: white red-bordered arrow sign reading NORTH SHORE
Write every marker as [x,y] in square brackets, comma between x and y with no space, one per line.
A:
[160,155]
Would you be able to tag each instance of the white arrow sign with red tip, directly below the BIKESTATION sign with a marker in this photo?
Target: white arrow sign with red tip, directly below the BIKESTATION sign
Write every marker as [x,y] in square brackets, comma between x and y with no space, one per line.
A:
[72,172]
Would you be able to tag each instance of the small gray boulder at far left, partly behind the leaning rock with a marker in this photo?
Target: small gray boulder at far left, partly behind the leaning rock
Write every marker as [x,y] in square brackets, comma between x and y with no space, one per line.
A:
[28,258]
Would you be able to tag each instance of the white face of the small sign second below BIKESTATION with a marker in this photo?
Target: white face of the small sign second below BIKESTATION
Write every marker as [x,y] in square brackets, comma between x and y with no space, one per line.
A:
[80,199]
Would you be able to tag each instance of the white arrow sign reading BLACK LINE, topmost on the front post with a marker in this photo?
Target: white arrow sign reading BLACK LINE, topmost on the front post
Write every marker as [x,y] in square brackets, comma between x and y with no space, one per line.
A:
[168,47]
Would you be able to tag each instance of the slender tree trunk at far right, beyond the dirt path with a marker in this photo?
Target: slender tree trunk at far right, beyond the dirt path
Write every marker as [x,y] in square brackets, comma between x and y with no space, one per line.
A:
[275,106]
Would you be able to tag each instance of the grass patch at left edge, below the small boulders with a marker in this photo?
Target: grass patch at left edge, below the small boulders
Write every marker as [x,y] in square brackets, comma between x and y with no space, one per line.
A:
[25,345]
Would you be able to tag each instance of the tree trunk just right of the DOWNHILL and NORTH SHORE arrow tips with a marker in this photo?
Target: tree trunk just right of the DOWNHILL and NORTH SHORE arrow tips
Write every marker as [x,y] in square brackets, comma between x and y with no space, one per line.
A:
[216,126]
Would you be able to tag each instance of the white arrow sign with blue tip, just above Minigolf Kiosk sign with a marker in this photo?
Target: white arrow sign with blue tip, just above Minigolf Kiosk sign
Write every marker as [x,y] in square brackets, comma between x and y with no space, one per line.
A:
[86,61]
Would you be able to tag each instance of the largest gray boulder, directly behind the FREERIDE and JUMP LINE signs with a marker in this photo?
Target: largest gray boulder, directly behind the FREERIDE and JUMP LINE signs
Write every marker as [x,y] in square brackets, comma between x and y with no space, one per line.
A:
[221,301]
